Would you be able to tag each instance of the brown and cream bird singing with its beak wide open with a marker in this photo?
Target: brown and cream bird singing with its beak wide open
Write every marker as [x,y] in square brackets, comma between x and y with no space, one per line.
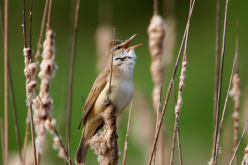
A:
[121,59]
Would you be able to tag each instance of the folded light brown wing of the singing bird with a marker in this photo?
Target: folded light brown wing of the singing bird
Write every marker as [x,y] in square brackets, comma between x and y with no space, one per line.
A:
[95,91]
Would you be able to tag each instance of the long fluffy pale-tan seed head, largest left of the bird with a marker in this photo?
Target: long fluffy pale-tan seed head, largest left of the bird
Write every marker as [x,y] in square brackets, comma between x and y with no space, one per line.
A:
[42,109]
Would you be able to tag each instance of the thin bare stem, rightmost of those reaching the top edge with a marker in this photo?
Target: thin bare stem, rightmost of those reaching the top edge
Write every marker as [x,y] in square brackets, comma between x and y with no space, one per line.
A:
[220,85]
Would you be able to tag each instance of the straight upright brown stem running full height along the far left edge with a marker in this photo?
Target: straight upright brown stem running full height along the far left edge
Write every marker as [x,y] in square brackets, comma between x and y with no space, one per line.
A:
[6,115]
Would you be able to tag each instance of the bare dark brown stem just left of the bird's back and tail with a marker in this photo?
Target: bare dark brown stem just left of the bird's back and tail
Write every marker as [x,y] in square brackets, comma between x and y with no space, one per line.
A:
[72,68]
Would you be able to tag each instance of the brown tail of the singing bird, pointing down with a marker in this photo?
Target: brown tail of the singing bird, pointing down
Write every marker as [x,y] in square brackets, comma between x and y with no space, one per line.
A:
[82,149]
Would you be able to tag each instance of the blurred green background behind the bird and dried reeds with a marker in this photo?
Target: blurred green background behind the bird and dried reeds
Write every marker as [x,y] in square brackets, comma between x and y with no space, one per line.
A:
[132,17]
